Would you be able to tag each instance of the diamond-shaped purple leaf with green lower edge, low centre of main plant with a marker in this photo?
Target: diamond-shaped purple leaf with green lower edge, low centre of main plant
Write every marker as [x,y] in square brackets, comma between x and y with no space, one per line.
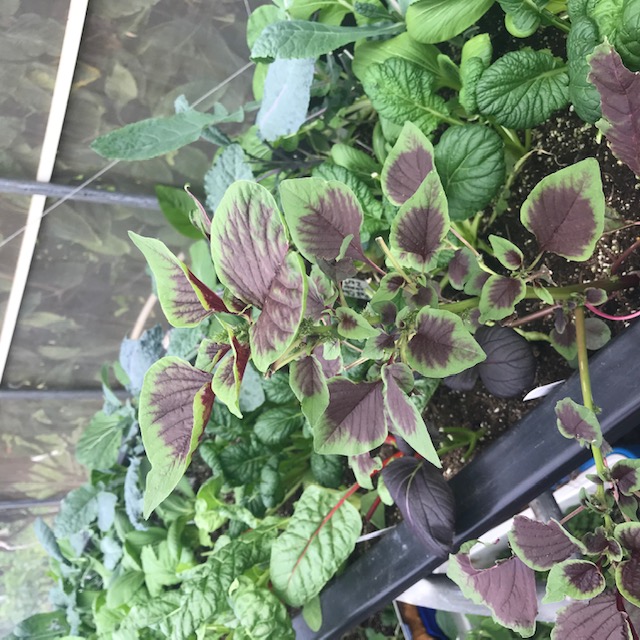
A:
[354,421]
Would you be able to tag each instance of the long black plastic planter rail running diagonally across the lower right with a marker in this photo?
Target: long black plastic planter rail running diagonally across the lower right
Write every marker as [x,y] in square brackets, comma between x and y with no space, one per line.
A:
[527,460]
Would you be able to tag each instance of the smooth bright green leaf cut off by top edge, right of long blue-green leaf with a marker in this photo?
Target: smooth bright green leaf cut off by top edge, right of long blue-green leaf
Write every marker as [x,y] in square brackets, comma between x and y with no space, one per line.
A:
[435,21]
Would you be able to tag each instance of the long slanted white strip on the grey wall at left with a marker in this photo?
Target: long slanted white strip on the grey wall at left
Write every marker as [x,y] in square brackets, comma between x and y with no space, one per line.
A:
[59,101]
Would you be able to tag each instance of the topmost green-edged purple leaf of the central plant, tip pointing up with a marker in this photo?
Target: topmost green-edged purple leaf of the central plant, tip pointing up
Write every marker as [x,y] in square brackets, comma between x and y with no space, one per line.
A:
[407,165]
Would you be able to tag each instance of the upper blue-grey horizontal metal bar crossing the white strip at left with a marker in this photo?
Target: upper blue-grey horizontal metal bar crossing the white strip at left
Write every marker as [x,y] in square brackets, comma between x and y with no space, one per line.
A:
[98,196]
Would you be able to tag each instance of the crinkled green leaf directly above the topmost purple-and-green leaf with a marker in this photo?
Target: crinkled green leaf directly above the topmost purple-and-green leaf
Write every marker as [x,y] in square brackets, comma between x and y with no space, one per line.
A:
[401,91]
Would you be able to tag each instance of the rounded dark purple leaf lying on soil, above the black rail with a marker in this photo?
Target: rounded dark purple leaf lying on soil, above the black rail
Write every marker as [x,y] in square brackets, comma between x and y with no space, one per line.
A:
[510,366]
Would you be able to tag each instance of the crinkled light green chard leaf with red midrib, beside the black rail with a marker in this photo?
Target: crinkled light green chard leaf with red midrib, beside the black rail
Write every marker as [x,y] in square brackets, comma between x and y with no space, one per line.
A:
[321,535]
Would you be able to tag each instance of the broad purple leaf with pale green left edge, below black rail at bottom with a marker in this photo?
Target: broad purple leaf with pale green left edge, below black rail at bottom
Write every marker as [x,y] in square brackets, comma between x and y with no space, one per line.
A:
[508,589]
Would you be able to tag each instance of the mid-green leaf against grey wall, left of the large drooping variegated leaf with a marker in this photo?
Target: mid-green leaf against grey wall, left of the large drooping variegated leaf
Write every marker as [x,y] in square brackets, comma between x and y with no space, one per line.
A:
[99,443]
